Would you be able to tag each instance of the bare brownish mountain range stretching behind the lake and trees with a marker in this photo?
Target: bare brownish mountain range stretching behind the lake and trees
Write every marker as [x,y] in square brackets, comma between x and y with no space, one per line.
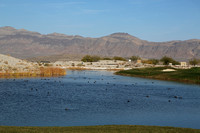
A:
[26,44]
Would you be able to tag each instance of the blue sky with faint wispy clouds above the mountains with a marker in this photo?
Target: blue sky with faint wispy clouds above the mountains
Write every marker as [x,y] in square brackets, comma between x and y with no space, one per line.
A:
[152,20]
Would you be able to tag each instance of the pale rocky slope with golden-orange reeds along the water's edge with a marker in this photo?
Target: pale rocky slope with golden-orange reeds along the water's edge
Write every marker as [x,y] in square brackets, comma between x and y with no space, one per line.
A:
[13,67]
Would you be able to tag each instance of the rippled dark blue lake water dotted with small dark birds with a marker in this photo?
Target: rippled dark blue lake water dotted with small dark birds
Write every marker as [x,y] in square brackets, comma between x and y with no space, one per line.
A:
[98,98]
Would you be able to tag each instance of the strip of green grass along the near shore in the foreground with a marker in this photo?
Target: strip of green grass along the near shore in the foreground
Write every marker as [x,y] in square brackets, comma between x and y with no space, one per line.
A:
[98,129]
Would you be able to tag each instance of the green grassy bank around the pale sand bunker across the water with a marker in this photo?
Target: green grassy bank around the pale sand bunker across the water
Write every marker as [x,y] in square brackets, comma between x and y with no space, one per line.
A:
[181,75]
